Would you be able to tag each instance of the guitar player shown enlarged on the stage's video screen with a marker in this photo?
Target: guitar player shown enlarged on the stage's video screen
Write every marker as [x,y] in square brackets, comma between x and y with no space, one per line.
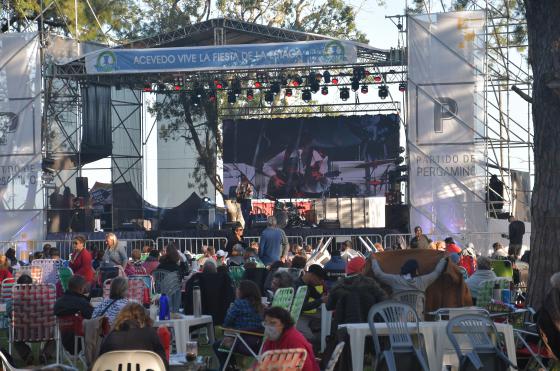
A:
[297,172]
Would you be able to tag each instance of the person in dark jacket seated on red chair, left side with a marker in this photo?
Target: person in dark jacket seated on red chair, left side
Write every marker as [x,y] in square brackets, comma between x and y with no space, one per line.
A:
[71,302]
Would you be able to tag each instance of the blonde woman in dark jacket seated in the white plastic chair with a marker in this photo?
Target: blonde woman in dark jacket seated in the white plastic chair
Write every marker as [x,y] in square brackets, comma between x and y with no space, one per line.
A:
[133,330]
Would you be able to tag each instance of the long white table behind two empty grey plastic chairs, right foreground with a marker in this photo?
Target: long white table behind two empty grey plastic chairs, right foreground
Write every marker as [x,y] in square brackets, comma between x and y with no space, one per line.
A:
[433,333]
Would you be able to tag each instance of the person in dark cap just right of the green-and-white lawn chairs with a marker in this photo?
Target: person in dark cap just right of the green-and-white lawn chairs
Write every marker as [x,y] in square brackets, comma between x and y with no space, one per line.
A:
[309,322]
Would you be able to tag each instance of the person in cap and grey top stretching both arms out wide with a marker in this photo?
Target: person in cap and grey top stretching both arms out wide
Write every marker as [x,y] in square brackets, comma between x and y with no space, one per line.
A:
[409,278]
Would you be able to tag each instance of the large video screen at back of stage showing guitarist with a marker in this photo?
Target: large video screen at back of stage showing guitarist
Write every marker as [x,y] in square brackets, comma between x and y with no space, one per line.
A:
[343,156]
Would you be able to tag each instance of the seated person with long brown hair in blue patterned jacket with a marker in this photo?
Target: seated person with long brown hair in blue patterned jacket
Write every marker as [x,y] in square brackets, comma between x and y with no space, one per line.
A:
[245,313]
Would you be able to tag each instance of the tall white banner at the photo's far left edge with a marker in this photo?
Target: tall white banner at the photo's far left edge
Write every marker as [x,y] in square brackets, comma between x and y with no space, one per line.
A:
[21,195]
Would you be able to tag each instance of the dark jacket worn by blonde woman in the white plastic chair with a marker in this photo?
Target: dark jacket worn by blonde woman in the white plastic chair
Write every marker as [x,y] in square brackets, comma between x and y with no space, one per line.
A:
[134,338]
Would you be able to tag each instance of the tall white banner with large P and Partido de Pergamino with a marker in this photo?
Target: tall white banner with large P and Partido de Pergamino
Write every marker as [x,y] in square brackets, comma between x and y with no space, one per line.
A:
[446,122]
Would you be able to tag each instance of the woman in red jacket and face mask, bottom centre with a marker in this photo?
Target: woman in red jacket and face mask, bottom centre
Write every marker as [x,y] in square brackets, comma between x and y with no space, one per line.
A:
[281,333]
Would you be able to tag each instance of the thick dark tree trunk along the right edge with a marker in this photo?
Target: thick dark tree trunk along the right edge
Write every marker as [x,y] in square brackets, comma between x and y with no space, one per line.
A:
[544,45]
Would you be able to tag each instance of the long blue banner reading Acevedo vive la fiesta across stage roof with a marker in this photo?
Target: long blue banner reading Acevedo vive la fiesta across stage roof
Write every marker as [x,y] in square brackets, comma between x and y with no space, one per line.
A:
[290,54]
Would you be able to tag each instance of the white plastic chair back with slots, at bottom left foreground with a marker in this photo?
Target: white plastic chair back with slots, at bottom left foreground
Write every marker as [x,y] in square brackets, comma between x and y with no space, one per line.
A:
[138,360]
